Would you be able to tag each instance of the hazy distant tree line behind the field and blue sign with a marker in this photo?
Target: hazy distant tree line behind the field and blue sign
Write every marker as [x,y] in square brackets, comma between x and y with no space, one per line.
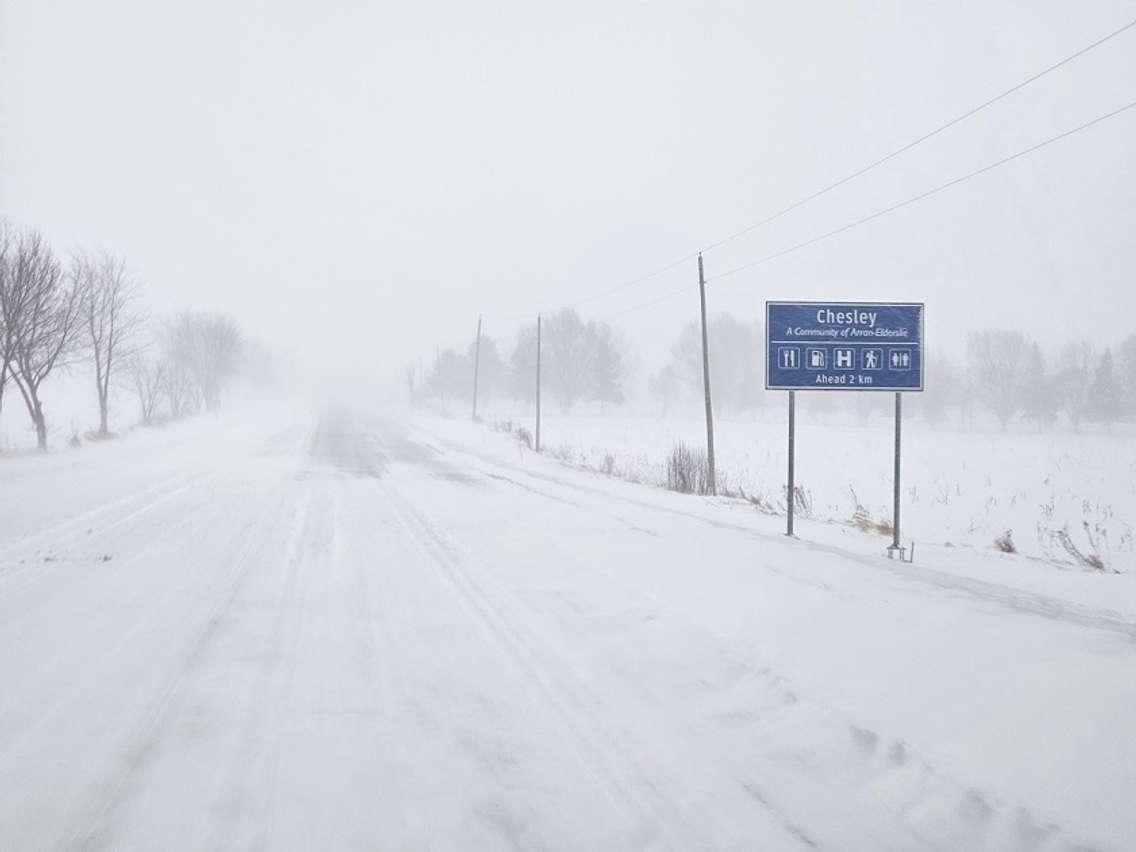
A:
[1000,372]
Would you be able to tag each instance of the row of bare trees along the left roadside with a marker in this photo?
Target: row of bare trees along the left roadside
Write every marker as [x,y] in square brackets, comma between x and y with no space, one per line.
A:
[57,315]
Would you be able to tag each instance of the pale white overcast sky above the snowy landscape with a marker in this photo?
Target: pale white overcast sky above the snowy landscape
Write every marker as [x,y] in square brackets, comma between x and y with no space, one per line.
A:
[360,180]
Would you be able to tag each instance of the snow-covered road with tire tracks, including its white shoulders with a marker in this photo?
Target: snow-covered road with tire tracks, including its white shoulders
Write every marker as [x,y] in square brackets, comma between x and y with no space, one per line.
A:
[372,631]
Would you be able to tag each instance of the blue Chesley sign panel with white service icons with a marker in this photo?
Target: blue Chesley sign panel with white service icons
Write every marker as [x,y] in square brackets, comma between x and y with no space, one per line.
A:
[843,347]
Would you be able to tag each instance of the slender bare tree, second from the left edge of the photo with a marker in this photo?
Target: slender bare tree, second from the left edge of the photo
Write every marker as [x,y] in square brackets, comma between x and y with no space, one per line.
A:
[111,323]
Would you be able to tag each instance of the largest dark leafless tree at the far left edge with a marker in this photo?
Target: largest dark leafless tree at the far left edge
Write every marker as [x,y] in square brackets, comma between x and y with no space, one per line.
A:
[41,314]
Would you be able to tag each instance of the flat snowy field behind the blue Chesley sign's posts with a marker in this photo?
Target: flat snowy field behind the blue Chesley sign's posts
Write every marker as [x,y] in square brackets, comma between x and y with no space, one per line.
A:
[960,489]
